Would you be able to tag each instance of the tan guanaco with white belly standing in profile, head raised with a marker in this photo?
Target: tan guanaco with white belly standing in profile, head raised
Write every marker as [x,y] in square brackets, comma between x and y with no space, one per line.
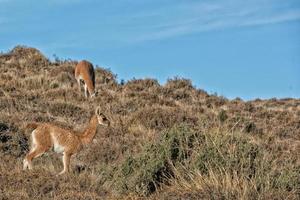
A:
[46,136]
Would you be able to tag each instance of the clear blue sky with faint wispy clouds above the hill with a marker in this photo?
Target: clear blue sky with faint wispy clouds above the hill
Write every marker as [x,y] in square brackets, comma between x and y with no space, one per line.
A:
[248,49]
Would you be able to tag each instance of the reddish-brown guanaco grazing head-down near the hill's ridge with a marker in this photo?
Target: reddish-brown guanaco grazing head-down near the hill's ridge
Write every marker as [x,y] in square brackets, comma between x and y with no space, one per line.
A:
[84,71]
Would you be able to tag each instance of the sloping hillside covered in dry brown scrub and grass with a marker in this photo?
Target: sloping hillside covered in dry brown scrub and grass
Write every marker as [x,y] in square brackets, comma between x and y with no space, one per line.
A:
[169,141]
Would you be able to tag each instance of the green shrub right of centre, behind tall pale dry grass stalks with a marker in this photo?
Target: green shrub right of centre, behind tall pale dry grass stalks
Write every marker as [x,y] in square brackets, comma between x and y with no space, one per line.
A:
[230,153]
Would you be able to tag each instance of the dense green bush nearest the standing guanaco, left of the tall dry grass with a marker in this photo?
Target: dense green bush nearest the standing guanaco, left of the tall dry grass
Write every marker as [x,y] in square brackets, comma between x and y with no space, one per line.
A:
[154,165]
